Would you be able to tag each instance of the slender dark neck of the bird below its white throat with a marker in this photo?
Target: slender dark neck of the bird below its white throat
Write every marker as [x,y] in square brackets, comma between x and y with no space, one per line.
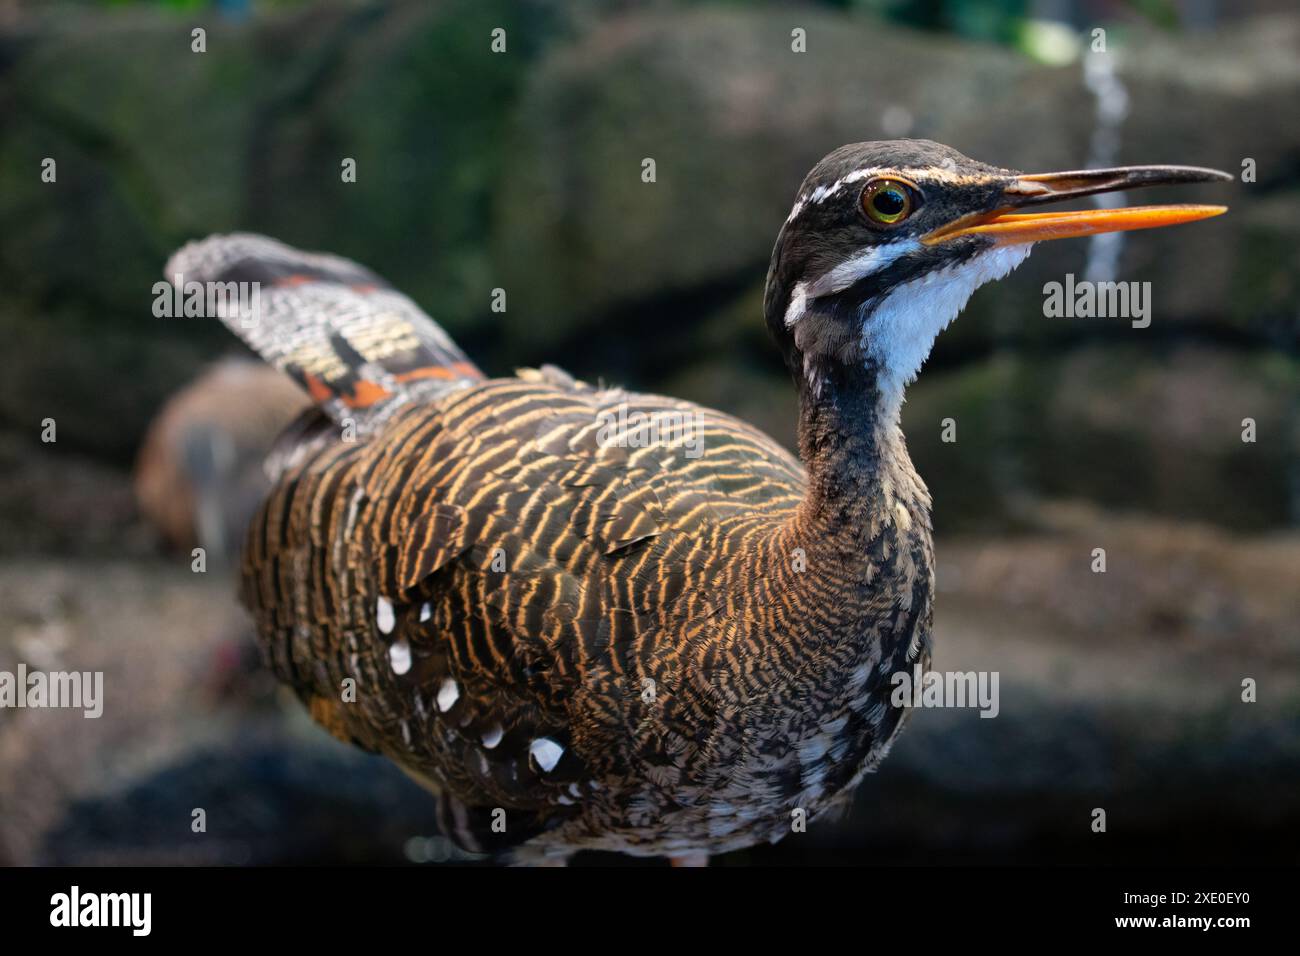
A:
[859,470]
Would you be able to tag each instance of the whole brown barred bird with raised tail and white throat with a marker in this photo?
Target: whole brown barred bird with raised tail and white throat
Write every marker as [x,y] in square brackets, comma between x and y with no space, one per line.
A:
[580,633]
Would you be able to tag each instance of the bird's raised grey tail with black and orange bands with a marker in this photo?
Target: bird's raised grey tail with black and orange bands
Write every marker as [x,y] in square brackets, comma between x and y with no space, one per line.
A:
[358,347]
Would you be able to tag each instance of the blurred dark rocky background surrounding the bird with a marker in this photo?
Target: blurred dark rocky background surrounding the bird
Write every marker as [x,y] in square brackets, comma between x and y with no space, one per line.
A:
[523,172]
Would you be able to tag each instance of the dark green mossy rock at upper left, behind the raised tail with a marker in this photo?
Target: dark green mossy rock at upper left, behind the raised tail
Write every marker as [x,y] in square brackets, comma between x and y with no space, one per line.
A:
[157,146]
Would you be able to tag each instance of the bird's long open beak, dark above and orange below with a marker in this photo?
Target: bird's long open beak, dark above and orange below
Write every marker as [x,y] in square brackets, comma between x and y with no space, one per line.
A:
[1008,228]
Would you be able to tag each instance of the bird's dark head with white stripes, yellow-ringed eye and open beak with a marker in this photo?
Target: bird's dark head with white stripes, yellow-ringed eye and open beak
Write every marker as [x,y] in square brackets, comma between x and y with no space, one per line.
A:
[887,241]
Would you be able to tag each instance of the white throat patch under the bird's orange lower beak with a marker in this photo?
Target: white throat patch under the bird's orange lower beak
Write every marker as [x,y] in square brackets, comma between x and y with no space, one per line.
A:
[902,330]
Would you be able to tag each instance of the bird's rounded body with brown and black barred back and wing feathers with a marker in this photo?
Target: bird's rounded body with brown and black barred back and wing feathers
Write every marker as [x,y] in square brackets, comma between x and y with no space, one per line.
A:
[618,568]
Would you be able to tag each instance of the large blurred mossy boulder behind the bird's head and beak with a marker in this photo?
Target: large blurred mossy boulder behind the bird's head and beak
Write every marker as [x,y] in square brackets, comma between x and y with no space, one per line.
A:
[734,120]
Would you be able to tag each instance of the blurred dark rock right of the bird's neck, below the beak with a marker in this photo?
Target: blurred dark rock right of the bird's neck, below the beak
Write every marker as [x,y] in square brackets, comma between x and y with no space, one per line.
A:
[1151,429]
